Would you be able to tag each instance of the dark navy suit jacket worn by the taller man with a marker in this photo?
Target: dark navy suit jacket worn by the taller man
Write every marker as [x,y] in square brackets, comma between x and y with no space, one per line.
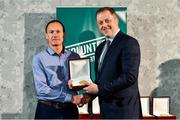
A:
[118,80]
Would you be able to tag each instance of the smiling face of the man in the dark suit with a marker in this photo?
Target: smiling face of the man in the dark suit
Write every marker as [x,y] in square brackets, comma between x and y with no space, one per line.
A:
[107,23]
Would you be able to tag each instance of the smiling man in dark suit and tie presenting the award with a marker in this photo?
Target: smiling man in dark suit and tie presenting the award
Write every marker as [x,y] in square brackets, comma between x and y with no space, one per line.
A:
[116,70]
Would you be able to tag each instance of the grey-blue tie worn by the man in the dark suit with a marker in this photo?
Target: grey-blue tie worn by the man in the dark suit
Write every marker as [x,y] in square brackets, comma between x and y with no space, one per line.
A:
[106,46]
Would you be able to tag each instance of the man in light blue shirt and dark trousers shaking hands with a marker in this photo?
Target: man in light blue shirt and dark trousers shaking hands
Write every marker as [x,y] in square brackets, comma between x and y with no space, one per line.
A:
[51,73]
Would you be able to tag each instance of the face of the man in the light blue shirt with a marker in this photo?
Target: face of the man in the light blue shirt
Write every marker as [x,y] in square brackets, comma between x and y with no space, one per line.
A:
[55,34]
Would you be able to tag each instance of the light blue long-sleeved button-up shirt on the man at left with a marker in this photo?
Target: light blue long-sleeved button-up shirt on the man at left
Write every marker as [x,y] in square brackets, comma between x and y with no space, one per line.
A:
[51,73]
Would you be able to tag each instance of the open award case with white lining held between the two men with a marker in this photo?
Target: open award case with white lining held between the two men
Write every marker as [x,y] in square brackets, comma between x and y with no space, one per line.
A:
[79,72]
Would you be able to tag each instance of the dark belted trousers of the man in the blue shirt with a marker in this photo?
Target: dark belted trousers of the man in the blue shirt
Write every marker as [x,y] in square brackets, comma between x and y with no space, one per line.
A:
[48,110]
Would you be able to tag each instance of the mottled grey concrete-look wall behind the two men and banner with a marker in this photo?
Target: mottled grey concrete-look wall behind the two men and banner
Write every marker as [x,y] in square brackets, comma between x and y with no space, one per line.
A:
[155,23]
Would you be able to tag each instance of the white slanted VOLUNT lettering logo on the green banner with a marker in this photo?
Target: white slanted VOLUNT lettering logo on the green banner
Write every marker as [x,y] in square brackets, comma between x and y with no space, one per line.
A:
[86,48]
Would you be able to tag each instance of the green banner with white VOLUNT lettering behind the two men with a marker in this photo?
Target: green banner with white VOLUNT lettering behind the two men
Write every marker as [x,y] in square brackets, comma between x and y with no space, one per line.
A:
[82,35]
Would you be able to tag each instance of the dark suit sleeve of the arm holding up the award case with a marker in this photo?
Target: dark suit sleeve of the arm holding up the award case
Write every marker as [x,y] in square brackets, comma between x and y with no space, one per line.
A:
[128,75]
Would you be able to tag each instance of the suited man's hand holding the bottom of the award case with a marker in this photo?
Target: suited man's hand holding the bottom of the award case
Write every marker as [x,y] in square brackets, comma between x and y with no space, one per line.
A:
[91,88]
